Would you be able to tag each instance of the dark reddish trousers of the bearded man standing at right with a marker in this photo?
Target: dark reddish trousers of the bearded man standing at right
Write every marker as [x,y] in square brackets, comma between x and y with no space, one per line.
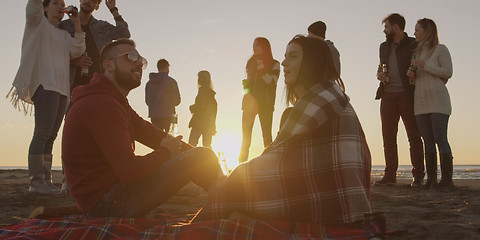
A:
[392,107]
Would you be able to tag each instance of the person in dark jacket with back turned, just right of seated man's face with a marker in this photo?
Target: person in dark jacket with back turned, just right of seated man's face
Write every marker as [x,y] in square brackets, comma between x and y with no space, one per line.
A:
[161,96]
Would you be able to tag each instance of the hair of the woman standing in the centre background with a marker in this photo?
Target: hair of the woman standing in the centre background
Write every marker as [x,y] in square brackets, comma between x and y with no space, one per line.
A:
[266,57]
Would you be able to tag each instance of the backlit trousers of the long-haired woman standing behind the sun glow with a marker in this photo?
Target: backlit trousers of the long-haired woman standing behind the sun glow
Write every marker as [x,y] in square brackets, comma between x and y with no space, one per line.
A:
[248,118]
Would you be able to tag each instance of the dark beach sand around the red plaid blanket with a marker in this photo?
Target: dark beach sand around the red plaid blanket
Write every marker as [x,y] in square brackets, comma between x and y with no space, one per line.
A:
[422,213]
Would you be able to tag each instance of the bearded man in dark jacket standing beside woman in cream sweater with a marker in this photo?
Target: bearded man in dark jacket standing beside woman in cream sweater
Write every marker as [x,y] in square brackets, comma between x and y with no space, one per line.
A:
[397,99]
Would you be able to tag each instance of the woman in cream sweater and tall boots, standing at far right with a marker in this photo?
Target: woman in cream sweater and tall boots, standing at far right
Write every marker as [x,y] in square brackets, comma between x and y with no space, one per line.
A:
[430,70]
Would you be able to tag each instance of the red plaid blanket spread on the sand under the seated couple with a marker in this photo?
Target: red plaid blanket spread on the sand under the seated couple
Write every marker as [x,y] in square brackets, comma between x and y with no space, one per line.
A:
[77,227]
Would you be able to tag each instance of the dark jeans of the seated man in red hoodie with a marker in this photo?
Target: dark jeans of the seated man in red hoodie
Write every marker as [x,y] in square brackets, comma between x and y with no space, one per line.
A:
[199,165]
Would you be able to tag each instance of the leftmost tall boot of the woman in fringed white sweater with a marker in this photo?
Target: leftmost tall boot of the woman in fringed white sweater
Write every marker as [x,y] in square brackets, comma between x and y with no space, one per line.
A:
[37,175]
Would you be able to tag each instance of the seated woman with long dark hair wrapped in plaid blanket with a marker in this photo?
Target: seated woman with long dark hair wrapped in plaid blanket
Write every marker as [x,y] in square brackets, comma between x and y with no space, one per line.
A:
[318,168]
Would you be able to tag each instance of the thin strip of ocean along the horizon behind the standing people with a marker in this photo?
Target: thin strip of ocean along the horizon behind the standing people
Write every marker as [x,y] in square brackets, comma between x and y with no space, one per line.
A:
[404,171]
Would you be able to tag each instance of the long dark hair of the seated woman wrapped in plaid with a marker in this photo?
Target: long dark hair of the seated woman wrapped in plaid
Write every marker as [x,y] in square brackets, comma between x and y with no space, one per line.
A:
[317,67]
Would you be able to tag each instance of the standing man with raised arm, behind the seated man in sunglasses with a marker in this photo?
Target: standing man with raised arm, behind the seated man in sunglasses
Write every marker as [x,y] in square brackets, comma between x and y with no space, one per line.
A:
[97,34]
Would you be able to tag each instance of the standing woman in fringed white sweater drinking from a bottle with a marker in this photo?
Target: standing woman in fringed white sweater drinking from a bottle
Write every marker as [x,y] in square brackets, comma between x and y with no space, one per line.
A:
[43,80]
